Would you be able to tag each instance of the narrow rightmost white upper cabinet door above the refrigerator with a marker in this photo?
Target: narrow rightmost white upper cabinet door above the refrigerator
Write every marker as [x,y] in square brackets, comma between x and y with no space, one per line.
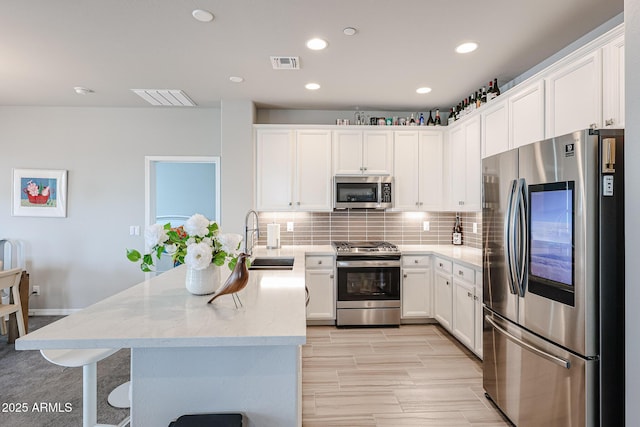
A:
[613,84]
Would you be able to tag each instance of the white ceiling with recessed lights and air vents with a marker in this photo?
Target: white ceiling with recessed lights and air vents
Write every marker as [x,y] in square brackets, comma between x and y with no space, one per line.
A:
[111,46]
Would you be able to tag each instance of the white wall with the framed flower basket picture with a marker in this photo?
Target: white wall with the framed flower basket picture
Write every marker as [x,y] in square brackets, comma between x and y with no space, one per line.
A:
[80,259]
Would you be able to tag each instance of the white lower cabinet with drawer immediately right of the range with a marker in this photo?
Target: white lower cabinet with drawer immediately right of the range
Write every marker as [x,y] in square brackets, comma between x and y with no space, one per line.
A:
[416,287]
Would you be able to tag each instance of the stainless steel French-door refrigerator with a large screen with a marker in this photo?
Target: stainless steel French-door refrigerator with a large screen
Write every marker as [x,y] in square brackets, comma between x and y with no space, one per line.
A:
[553,269]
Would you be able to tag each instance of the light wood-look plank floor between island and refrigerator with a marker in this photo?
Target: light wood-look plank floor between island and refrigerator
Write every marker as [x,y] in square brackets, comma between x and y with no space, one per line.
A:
[415,375]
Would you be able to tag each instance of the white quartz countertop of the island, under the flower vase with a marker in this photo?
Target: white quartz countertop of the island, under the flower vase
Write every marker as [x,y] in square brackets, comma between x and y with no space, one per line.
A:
[161,313]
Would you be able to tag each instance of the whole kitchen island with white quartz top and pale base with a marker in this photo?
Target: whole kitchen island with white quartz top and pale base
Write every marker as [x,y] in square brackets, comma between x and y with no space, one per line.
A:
[188,356]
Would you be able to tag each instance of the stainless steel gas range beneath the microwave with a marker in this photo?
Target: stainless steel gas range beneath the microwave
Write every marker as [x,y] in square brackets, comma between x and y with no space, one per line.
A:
[368,283]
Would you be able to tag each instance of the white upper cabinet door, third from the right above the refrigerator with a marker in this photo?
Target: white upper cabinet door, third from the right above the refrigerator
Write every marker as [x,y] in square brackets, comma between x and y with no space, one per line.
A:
[526,115]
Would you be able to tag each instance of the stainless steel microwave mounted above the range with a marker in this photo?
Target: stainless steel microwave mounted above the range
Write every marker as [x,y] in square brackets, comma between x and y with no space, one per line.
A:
[363,192]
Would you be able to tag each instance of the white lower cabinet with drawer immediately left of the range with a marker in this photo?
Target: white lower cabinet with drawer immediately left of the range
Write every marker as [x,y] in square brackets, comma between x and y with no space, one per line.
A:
[320,283]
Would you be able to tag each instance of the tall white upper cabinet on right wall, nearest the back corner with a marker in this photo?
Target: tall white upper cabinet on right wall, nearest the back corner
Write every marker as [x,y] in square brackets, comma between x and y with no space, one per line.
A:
[466,164]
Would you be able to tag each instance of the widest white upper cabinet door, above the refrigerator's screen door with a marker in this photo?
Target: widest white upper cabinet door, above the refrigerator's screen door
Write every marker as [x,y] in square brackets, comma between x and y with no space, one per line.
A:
[574,96]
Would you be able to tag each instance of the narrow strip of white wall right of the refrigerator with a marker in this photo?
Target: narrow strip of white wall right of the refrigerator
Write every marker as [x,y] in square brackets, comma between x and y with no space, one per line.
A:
[632,209]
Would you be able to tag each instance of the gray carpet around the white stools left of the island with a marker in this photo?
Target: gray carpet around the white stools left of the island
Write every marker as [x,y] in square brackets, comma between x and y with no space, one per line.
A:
[51,394]
